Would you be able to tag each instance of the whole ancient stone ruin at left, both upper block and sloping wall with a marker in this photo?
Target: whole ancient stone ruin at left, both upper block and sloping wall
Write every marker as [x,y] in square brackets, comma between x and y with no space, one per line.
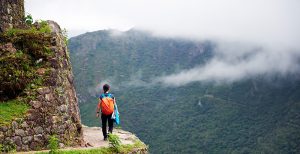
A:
[52,105]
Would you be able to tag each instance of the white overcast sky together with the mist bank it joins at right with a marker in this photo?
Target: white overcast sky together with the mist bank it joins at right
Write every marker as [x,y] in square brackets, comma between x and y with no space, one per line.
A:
[270,24]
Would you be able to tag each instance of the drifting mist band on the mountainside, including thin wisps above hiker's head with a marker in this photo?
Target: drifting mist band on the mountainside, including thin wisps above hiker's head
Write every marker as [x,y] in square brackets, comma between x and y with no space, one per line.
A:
[232,62]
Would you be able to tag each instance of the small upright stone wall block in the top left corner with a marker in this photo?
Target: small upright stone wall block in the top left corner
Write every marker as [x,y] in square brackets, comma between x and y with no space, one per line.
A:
[11,14]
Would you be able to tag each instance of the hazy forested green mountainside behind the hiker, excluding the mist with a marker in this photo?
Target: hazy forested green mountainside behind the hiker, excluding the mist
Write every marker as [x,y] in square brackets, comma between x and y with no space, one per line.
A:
[257,115]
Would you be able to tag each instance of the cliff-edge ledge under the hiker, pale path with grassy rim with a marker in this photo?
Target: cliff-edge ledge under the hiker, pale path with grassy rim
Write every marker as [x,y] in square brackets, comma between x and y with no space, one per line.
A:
[129,143]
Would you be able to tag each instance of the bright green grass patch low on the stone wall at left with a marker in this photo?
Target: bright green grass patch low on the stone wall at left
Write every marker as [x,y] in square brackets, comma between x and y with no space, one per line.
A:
[10,110]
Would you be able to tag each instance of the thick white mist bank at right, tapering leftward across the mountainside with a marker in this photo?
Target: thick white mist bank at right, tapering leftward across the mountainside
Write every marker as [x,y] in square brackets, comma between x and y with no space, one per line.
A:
[230,65]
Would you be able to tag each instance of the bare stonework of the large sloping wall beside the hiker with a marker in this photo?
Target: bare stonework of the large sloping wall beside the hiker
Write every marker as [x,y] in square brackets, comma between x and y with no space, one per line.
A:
[54,110]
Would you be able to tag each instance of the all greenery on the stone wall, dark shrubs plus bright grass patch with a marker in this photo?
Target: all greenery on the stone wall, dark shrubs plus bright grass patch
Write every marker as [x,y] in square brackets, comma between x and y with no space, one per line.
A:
[22,53]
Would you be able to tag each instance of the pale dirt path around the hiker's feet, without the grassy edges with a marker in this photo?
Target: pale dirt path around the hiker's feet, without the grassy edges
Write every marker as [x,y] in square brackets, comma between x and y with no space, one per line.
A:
[94,139]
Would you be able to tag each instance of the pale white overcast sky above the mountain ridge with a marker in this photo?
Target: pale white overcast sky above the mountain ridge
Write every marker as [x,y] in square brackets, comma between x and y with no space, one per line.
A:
[269,21]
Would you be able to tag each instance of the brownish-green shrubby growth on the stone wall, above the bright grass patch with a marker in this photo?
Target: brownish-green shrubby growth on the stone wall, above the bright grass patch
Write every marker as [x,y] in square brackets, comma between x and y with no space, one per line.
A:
[19,61]
